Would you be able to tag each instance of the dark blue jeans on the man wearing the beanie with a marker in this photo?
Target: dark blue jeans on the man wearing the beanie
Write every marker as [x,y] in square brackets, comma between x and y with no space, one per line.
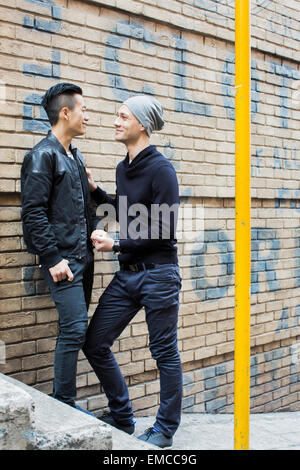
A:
[157,290]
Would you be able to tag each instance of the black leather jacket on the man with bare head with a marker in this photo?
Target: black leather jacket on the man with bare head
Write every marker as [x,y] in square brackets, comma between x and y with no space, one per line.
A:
[57,214]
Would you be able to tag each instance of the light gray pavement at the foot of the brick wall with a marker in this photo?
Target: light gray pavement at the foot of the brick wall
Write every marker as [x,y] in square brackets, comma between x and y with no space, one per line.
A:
[268,431]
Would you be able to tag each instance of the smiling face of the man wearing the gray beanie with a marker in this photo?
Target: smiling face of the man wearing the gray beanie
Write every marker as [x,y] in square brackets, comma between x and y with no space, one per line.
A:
[127,128]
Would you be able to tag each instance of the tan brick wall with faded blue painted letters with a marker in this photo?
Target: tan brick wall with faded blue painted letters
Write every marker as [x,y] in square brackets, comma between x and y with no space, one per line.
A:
[183,53]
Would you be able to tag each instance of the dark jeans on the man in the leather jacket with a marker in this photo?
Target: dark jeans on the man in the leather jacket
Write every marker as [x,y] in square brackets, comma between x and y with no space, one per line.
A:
[71,300]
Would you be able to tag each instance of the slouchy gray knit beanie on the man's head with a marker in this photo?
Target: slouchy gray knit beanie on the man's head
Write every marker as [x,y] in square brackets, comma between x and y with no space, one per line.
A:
[148,112]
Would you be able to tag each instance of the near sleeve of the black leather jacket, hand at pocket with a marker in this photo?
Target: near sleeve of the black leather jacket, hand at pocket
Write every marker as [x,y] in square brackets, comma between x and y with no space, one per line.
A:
[36,187]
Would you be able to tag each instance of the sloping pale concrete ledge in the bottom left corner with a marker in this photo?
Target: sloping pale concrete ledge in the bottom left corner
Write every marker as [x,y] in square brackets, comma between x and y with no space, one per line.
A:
[30,419]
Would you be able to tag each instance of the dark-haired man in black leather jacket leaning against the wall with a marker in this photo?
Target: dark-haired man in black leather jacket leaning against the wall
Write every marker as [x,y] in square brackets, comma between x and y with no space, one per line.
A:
[58,220]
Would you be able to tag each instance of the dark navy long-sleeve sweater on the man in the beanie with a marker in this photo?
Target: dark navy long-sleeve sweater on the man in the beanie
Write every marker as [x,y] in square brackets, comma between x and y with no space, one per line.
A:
[150,180]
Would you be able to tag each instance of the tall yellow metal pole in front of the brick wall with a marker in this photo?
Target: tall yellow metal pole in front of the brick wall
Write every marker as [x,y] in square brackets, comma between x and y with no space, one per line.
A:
[242,225]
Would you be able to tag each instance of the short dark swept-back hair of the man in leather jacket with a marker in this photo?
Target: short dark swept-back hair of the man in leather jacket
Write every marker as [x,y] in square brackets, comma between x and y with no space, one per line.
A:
[57,97]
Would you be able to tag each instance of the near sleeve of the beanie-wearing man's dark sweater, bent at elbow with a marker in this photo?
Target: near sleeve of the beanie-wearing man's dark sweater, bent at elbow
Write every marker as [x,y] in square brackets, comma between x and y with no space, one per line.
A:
[163,219]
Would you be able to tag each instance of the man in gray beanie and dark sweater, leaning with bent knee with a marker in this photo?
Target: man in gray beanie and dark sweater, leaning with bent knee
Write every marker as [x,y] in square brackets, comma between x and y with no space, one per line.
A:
[149,274]
